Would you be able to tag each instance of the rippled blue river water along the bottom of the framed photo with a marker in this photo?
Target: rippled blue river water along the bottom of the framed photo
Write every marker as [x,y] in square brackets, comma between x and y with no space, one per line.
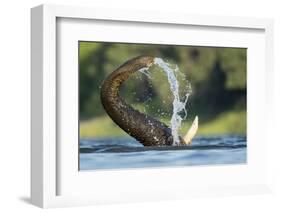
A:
[126,152]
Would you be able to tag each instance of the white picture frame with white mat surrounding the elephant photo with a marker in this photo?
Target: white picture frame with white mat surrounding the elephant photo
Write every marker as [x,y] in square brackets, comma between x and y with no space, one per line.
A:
[48,170]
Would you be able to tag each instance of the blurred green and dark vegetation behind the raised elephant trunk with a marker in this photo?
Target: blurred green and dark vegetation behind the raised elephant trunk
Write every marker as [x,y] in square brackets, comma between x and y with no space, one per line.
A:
[217,77]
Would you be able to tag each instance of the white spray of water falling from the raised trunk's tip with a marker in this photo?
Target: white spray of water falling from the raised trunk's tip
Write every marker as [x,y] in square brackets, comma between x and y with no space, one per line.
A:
[178,105]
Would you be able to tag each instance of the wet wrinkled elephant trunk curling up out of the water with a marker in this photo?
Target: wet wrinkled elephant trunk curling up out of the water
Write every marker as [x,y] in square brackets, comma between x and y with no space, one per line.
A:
[146,129]
